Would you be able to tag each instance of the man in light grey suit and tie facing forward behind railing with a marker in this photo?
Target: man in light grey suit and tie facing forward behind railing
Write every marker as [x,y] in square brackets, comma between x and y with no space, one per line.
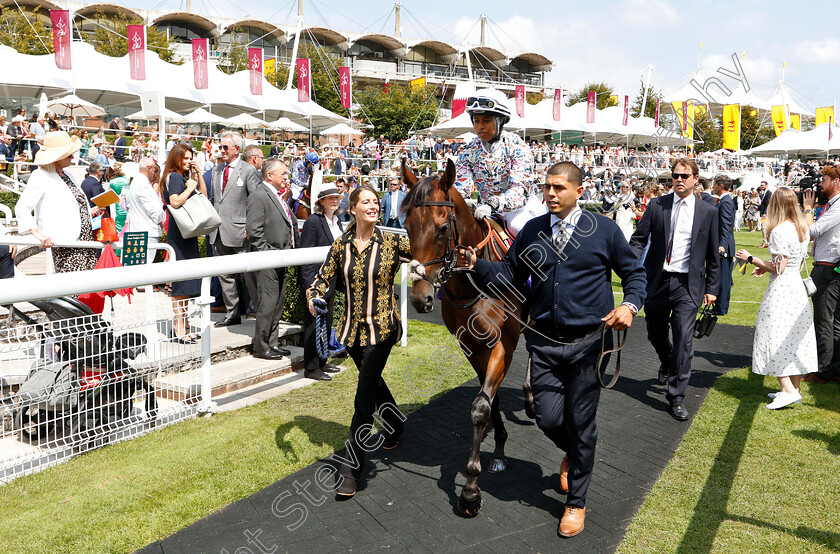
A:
[232,182]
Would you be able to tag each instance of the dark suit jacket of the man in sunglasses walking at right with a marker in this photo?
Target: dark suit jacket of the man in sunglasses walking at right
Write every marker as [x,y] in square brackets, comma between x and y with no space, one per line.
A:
[704,264]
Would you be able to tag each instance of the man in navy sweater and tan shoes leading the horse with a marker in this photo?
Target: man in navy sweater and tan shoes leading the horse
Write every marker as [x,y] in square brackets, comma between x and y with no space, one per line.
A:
[569,255]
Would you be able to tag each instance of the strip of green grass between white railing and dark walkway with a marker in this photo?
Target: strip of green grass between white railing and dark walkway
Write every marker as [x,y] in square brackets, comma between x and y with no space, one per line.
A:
[124,496]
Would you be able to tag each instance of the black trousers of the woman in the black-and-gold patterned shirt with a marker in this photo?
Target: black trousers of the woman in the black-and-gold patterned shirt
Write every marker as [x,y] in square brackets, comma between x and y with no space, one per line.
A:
[372,394]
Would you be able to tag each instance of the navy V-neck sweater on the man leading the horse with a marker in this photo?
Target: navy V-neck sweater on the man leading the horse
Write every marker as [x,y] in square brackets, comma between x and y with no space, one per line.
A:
[572,288]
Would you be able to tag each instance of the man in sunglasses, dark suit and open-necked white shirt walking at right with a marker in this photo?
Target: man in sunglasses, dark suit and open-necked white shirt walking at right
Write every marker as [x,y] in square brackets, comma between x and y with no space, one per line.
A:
[683,272]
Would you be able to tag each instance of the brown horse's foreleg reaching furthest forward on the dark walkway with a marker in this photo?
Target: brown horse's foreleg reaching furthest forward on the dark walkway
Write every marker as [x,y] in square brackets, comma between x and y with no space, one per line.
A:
[470,500]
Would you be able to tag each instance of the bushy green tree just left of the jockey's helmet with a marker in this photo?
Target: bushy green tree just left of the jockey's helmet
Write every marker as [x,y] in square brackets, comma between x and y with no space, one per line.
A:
[399,111]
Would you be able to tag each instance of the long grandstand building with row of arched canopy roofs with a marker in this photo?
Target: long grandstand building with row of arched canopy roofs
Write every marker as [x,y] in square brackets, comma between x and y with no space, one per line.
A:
[372,57]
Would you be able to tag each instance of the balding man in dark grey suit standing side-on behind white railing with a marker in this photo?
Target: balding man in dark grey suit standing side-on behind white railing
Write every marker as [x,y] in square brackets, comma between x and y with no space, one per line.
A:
[271,226]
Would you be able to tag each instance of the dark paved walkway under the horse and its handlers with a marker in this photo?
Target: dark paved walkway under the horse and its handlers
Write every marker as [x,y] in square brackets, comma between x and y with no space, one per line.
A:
[408,502]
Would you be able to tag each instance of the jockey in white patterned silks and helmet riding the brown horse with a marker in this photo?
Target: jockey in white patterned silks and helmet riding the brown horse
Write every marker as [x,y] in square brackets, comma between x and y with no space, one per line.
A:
[497,163]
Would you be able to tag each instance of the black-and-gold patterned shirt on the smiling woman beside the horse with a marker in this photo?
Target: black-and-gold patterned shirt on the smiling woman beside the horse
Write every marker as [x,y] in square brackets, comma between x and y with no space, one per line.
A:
[370,310]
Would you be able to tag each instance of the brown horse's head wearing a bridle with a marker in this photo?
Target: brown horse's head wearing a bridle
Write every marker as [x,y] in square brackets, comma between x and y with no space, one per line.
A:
[428,208]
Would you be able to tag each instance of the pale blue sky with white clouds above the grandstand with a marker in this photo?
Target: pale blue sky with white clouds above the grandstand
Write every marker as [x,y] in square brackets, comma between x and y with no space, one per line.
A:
[609,40]
